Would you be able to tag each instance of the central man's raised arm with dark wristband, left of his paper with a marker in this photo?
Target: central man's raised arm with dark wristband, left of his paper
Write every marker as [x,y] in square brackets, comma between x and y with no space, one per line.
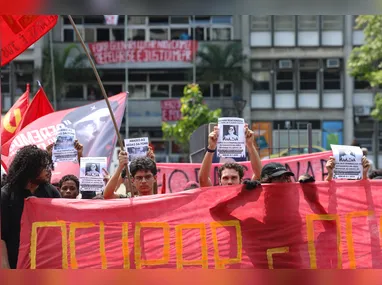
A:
[205,169]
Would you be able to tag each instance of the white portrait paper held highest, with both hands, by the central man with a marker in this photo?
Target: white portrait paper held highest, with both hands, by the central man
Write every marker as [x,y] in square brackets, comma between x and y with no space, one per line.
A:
[231,141]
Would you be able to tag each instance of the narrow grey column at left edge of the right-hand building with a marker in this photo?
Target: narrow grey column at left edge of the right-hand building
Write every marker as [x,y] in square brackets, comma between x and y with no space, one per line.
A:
[246,86]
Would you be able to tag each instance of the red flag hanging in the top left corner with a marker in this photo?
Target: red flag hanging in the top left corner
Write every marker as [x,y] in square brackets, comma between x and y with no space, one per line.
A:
[18,32]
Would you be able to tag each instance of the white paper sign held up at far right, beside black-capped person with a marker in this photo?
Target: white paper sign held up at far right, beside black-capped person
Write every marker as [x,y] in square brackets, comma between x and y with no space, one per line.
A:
[348,162]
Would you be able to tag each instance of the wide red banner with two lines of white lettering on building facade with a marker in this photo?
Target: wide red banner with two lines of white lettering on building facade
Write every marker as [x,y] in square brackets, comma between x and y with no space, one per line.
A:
[143,51]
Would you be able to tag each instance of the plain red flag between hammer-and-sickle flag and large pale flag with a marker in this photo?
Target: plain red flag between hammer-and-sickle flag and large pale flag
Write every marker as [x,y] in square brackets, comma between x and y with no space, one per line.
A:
[39,107]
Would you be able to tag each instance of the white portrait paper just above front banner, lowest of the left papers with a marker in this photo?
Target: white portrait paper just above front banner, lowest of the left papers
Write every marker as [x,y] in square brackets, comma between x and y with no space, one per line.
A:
[91,174]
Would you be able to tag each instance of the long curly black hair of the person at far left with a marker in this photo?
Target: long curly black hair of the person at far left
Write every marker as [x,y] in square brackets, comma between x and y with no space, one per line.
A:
[27,165]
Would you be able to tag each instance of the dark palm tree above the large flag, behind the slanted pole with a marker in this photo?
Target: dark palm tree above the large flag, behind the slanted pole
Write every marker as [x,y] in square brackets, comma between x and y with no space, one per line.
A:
[66,68]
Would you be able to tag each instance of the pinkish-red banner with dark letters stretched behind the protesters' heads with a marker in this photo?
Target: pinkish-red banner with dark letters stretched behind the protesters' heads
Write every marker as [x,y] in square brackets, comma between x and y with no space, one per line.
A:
[178,174]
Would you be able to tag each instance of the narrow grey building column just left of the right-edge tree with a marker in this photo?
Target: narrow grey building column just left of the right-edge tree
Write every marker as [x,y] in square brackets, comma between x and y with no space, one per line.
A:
[349,83]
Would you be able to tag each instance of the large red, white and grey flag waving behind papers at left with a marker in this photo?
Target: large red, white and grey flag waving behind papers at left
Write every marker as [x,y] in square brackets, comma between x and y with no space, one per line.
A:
[93,127]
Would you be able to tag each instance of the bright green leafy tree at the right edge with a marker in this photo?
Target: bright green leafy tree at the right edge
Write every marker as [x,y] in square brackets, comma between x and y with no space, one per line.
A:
[365,62]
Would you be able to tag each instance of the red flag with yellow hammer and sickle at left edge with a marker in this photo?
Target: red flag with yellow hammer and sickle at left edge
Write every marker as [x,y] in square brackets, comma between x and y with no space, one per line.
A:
[13,118]
